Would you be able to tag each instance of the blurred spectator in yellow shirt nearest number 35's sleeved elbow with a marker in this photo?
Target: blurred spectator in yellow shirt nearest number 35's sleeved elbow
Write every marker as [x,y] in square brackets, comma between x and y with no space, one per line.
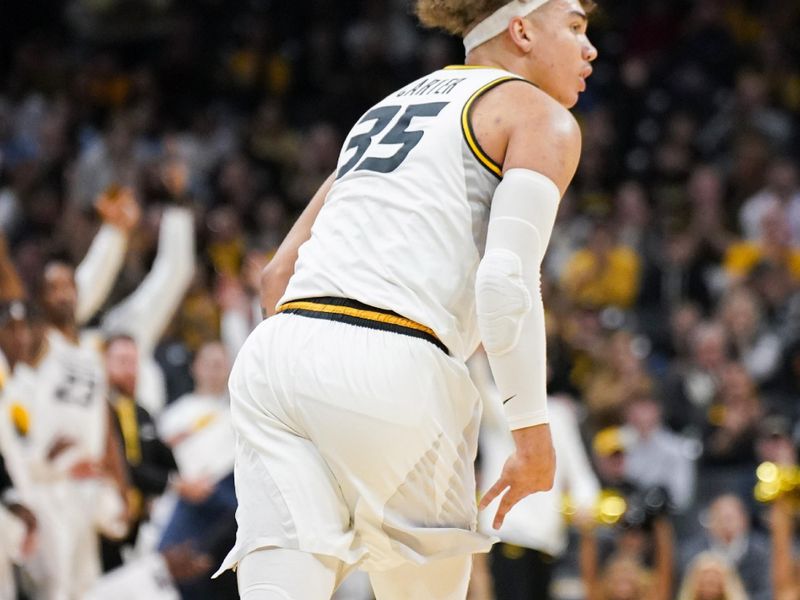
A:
[603,272]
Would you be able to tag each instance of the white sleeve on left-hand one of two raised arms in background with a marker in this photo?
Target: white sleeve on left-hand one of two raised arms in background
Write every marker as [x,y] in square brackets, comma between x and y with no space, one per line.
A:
[98,270]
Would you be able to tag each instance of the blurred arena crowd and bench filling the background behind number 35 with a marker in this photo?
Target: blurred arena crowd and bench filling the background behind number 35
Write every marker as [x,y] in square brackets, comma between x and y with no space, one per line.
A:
[152,156]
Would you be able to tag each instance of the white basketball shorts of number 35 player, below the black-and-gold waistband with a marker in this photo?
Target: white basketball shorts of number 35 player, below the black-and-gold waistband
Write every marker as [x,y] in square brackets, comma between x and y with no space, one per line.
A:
[353,443]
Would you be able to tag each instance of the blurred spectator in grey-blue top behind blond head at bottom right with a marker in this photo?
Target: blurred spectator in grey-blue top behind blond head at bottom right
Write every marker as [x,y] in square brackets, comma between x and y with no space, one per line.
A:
[728,533]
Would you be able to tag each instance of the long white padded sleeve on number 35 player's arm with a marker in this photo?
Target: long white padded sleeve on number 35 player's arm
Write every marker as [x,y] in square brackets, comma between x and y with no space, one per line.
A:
[508,295]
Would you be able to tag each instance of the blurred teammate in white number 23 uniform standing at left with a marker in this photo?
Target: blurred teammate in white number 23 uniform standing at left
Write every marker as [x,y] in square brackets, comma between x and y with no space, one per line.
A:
[67,451]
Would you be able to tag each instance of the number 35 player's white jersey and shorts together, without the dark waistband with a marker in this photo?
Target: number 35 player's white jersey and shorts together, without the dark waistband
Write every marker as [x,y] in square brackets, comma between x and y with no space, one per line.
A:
[358,443]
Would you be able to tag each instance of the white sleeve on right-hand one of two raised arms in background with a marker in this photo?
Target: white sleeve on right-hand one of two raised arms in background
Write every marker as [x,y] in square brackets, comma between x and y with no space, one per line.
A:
[147,311]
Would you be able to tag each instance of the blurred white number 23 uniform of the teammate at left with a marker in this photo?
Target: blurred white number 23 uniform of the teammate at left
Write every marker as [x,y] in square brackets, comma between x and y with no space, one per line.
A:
[63,397]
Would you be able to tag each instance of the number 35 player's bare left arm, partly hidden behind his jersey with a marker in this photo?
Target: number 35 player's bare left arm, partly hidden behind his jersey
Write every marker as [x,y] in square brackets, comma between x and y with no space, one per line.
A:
[277,273]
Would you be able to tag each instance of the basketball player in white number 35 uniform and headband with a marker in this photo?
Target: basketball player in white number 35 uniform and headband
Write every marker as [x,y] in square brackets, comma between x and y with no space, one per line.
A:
[355,415]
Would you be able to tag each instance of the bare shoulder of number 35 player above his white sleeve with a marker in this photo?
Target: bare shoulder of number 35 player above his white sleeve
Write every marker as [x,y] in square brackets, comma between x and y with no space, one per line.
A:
[538,133]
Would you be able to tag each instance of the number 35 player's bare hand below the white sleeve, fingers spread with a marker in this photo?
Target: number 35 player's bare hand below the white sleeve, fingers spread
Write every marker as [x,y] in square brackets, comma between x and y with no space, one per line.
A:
[530,469]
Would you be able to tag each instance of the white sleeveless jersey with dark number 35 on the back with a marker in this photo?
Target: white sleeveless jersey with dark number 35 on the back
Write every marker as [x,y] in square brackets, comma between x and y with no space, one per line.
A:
[404,225]
